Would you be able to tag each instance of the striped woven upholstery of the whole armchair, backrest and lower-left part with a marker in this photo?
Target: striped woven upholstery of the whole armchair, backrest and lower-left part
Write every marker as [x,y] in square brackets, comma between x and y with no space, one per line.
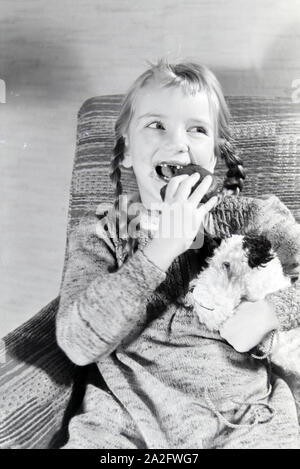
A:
[39,387]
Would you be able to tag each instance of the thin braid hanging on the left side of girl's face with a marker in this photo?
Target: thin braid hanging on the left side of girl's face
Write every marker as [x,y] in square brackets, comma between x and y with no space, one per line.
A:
[115,175]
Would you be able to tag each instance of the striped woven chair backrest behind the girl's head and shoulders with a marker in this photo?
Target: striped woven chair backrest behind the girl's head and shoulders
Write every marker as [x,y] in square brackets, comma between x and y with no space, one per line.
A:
[267,134]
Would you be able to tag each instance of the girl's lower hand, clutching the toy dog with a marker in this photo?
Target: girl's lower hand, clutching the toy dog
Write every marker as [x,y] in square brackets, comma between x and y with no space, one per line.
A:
[251,322]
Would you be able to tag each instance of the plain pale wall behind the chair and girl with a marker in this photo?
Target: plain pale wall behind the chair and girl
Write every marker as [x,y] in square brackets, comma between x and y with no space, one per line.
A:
[54,55]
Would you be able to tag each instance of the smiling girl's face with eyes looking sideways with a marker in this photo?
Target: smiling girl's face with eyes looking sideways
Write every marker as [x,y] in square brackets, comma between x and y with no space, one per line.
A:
[167,126]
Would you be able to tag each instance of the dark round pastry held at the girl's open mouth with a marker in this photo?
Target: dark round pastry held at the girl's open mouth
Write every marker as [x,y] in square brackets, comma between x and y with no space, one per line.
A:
[167,171]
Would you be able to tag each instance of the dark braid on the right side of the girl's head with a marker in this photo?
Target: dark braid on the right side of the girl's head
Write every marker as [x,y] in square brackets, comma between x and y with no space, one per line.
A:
[236,173]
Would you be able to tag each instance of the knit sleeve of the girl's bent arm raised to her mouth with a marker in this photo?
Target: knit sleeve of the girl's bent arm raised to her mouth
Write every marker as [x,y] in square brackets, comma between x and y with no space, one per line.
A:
[99,308]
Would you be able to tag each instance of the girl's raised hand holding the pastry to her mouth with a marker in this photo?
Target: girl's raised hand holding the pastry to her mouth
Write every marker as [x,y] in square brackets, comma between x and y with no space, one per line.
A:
[182,214]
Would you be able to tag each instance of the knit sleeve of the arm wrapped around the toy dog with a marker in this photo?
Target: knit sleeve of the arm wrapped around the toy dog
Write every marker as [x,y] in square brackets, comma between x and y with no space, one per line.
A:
[268,215]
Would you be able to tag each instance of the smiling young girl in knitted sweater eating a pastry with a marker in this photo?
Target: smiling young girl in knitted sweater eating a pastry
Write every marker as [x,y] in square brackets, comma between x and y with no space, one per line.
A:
[167,381]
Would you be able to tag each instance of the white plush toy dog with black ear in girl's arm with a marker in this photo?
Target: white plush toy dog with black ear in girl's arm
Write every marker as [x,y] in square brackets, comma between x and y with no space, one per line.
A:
[244,268]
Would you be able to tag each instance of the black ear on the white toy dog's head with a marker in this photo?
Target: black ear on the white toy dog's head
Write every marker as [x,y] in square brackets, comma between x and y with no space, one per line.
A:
[258,249]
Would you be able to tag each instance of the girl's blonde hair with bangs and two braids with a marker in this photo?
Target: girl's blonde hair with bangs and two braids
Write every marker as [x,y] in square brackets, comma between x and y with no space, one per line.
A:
[191,77]
